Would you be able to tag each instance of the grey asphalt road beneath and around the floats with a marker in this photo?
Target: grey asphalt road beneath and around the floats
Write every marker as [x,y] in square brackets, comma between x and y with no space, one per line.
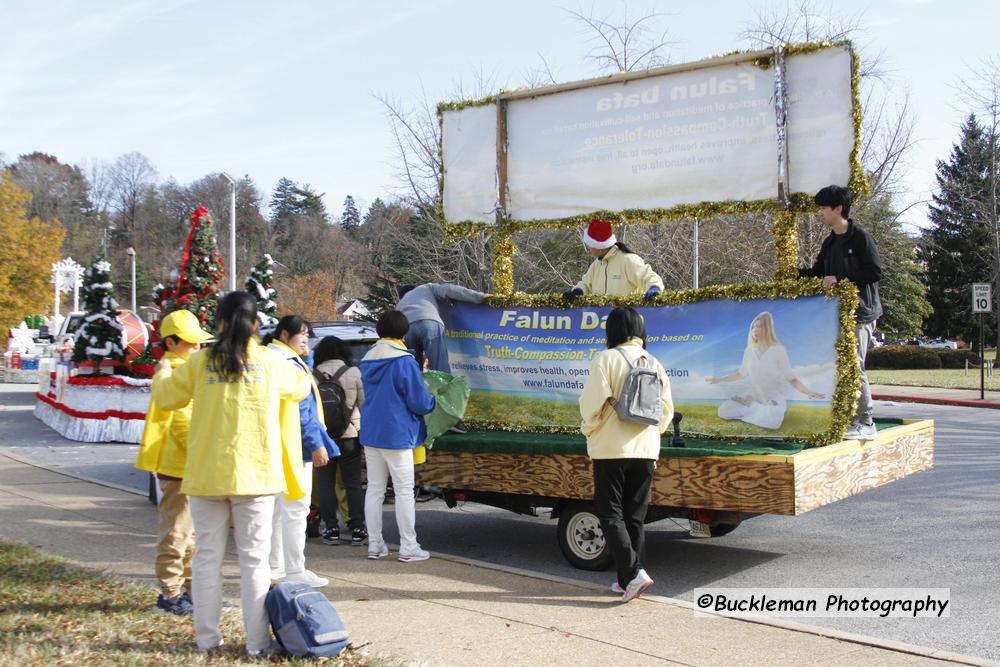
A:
[937,529]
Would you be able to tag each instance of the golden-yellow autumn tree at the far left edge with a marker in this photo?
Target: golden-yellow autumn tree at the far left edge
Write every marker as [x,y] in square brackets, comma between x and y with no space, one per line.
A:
[27,253]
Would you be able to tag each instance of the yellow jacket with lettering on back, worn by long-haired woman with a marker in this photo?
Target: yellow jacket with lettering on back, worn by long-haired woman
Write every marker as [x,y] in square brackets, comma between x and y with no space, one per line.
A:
[235,442]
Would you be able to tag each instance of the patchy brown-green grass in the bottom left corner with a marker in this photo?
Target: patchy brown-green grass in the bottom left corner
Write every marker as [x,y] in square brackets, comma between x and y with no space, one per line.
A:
[55,613]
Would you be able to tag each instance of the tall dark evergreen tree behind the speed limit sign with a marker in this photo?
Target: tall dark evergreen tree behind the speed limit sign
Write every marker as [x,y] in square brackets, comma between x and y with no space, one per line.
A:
[957,246]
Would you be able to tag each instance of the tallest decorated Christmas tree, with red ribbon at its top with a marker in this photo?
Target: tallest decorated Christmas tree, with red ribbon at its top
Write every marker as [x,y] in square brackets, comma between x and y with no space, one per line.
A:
[201,270]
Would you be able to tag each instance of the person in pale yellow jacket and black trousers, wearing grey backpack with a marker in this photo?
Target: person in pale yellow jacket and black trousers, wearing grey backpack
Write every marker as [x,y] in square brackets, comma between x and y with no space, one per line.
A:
[624,453]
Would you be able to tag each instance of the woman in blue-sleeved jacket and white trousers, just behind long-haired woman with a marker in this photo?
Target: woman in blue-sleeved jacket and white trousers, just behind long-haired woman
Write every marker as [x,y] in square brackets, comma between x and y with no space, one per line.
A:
[288,537]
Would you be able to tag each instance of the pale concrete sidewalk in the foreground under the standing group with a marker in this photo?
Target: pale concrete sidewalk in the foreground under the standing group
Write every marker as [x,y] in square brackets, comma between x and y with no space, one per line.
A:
[444,611]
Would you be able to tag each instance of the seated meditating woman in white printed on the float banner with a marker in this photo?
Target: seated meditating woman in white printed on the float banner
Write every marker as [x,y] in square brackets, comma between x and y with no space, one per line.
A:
[766,366]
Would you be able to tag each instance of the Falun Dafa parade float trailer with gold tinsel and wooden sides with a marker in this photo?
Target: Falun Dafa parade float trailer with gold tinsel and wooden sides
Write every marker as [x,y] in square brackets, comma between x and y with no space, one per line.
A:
[747,133]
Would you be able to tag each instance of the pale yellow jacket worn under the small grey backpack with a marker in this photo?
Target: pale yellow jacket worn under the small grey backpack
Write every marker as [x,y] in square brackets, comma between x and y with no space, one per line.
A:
[608,437]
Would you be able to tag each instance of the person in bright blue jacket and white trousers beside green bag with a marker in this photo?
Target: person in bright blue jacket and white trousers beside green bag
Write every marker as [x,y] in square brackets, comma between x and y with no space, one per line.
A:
[391,426]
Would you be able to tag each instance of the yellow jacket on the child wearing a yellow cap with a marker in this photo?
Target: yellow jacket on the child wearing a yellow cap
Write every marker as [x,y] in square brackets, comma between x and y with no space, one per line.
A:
[163,448]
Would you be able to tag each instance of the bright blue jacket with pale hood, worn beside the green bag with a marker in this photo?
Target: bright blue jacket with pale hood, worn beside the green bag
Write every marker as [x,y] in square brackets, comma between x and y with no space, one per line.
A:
[395,398]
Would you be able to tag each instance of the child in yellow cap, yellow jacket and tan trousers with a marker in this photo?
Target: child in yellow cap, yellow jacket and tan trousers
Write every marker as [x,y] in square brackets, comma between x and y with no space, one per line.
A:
[163,451]
